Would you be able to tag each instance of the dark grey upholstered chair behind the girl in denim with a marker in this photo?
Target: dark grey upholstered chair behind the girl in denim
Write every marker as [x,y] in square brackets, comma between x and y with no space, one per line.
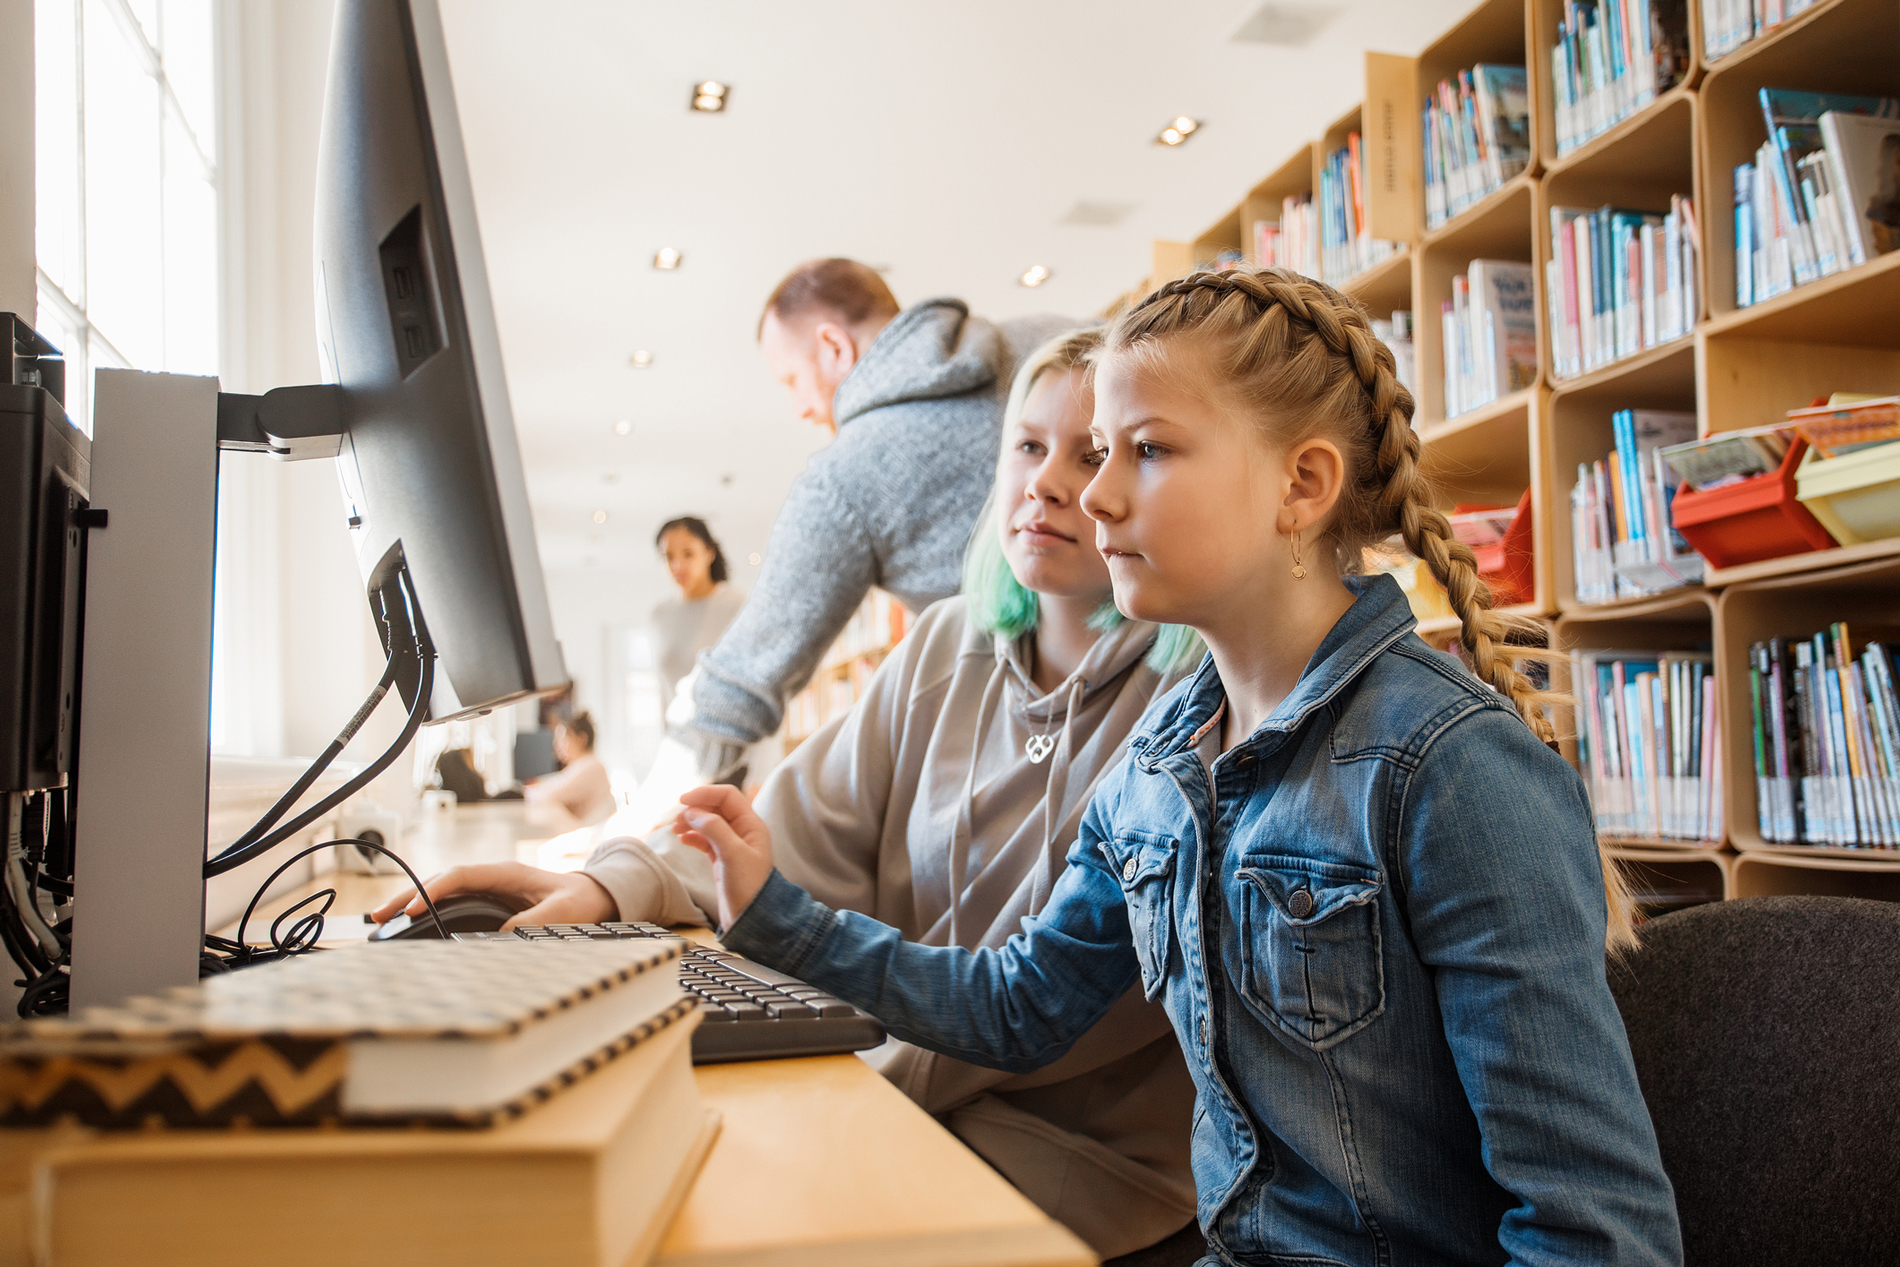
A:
[1768,1042]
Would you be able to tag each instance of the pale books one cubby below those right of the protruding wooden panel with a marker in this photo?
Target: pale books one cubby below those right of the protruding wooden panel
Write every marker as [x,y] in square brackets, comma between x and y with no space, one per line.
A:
[1491,335]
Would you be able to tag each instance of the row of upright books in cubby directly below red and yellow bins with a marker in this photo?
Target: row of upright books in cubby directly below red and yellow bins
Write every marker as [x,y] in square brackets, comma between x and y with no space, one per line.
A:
[1827,736]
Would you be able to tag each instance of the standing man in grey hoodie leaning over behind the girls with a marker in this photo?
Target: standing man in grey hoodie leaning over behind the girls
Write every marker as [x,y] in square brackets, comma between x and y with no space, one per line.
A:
[917,402]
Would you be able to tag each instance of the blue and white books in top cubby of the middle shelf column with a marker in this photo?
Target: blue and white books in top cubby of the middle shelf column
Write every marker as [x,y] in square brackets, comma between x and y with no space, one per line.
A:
[1612,60]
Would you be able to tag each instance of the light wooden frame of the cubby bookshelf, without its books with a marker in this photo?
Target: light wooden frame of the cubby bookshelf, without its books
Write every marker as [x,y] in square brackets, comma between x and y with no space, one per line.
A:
[1741,368]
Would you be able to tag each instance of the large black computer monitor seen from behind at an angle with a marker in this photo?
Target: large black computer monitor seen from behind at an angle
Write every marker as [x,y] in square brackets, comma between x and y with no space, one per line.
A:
[430,463]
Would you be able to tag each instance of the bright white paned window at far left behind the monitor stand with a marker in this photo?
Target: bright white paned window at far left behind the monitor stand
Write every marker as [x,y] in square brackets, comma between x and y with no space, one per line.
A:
[128,181]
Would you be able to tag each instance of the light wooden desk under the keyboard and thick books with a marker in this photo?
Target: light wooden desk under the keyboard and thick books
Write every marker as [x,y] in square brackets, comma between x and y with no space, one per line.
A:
[820,1162]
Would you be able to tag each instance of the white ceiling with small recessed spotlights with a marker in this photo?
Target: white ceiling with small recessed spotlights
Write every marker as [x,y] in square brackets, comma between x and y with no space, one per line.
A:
[945,143]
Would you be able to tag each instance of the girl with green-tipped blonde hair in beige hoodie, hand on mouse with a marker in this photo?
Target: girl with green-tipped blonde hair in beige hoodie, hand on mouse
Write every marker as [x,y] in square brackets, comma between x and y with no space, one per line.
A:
[945,803]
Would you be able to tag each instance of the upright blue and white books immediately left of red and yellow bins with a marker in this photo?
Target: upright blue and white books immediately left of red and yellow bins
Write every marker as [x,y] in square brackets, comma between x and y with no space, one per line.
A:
[1620,514]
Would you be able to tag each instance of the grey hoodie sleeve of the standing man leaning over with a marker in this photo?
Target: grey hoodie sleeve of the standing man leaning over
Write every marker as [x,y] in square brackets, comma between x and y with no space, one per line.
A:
[820,565]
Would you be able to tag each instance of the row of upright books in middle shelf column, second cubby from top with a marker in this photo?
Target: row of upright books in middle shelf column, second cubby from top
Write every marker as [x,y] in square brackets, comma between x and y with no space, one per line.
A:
[1620,282]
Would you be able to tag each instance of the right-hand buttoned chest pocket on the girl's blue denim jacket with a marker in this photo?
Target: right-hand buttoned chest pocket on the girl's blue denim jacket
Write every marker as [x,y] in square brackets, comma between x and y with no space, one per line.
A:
[1310,945]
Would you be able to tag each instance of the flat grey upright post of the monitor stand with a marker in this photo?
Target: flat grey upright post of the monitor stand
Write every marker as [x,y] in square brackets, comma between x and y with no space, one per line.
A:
[145,689]
